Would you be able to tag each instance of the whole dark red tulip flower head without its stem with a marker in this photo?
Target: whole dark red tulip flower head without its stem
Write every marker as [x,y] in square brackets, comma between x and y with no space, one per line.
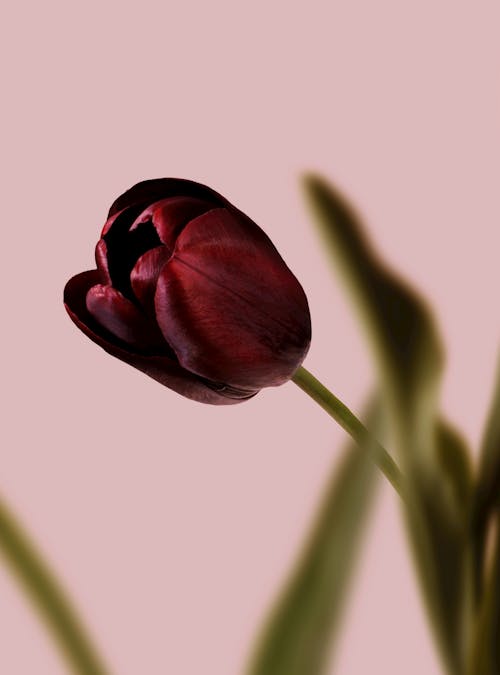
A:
[192,292]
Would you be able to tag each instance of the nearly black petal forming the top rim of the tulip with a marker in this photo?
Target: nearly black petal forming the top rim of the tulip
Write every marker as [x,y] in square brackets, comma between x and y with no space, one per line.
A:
[148,191]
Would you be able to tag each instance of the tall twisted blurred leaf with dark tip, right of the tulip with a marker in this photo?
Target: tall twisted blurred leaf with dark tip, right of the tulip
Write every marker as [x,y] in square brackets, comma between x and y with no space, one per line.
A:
[410,358]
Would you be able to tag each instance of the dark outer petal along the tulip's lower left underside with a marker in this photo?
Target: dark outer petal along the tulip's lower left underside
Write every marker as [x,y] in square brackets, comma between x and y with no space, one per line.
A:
[161,368]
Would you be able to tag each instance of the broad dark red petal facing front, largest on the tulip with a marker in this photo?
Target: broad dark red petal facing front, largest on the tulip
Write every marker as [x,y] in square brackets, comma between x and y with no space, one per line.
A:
[229,306]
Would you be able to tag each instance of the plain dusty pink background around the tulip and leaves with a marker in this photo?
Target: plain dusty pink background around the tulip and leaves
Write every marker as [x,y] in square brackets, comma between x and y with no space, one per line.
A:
[172,523]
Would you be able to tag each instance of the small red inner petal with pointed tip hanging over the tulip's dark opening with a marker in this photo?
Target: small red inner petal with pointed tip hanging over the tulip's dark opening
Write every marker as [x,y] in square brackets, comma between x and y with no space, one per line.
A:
[170,216]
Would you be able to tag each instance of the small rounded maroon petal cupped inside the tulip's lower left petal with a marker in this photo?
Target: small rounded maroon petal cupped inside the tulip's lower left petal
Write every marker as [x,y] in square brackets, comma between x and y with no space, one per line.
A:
[122,318]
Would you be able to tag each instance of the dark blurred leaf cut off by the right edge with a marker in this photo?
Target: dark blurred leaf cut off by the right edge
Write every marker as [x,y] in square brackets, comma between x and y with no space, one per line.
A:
[487,493]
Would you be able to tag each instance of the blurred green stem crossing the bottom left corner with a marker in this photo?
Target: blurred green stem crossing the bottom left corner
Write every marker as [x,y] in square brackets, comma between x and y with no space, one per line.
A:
[47,597]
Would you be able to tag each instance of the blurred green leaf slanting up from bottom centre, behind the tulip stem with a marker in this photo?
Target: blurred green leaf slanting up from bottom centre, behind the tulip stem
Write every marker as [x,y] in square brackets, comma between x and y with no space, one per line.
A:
[299,637]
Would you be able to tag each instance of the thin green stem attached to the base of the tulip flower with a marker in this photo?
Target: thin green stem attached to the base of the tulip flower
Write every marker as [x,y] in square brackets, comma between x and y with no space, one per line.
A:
[348,421]
